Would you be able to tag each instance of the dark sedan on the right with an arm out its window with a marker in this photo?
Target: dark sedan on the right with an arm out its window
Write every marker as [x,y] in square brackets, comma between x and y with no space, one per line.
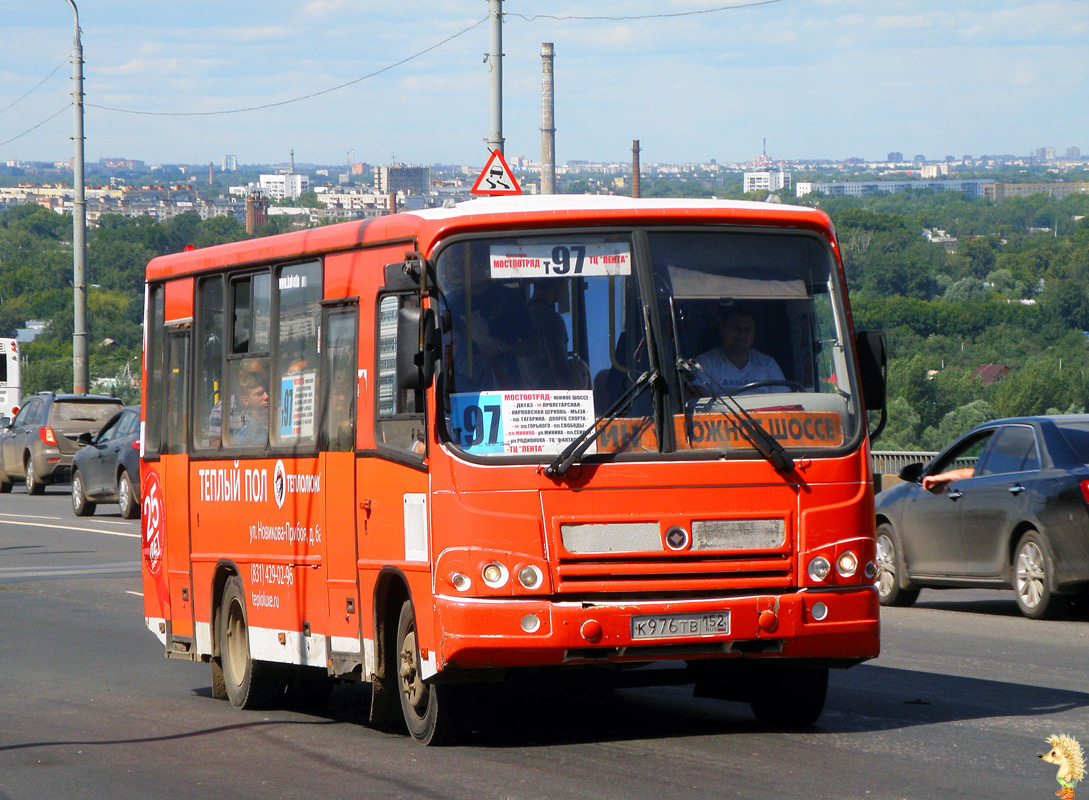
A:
[1008,507]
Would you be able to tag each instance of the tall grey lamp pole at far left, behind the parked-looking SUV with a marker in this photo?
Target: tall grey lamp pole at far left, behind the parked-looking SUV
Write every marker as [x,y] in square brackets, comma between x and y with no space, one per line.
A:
[79,225]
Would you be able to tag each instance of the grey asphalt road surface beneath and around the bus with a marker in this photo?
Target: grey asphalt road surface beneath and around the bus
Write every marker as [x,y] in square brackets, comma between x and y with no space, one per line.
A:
[959,705]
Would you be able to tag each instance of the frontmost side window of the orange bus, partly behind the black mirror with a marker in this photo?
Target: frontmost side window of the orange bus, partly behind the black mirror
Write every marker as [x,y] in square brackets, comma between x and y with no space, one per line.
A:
[401,423]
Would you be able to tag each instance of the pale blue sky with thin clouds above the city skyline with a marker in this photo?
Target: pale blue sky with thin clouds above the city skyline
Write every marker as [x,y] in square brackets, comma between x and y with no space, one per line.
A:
[168,82]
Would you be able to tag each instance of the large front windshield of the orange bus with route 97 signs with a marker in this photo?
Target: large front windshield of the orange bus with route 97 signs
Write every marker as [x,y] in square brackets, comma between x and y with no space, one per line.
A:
[546,334]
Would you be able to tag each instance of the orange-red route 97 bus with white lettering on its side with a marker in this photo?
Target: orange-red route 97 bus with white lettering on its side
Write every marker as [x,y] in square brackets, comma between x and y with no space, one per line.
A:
[439,449]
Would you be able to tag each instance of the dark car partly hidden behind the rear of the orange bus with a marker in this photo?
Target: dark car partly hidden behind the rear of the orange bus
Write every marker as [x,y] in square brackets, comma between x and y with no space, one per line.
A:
[107,467]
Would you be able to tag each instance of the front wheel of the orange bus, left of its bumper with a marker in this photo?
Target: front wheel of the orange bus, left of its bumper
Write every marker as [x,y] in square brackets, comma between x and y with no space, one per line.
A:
[432,713]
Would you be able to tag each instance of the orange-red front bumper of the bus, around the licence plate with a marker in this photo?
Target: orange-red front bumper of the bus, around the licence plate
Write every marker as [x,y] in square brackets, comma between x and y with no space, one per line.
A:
[782,625]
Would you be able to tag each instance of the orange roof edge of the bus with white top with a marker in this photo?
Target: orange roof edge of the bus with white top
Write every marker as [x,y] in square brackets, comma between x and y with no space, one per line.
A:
[422,229]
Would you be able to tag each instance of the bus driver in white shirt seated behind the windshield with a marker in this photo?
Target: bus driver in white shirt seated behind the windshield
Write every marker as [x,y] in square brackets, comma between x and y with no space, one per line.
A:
[735,363]
